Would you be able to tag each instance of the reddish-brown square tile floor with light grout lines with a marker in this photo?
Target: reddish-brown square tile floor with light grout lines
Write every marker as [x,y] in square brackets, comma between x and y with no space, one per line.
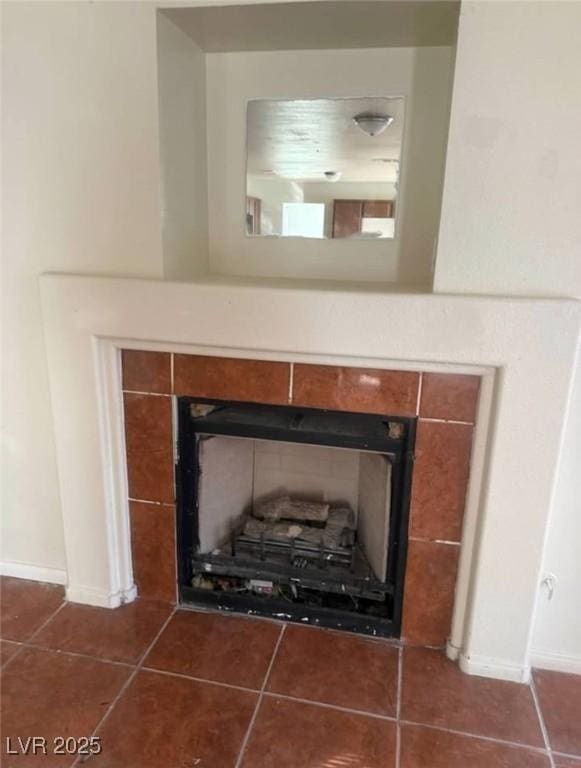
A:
[178,689]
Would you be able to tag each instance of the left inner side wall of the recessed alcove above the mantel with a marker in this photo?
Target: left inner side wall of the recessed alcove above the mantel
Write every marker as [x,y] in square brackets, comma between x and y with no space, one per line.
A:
[182,127]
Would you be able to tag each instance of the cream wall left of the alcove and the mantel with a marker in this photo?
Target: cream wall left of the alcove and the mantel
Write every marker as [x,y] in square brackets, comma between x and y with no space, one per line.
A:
[80,193]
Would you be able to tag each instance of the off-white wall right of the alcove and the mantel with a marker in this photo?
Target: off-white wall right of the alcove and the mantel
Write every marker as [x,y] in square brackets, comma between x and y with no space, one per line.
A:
[511,223]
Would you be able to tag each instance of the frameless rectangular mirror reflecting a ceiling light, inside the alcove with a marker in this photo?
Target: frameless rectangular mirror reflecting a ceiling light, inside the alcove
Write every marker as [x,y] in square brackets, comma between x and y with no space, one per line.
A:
[323,168]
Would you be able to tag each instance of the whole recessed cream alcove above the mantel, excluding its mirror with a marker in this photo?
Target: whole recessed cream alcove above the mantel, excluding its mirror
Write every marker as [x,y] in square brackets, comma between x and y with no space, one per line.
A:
[213,60]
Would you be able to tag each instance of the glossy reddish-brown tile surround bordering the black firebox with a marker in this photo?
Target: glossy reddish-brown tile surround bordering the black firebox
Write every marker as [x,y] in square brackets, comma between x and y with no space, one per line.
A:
[445,403]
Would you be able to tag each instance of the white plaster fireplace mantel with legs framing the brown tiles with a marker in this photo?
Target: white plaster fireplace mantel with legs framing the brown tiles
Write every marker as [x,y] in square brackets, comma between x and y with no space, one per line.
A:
[524,349]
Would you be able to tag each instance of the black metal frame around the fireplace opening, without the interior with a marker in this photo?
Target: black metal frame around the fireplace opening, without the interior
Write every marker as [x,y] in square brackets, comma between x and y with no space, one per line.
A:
[298,425]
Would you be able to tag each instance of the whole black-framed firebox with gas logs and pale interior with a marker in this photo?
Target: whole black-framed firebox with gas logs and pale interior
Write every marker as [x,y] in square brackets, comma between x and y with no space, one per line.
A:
[298,514]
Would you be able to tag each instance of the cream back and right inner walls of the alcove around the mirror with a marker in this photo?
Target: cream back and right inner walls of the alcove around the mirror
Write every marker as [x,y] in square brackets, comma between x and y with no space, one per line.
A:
[422,75]
